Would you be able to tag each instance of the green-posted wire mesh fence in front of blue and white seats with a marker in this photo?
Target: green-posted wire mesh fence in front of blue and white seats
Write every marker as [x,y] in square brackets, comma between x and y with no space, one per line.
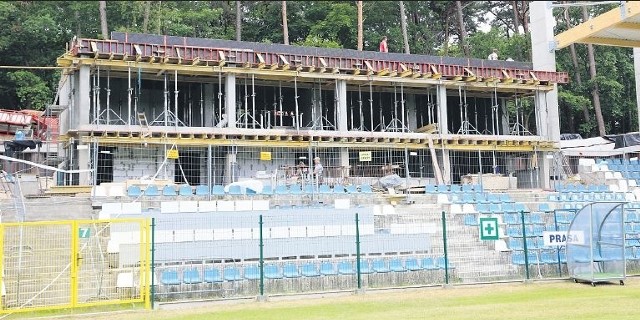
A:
[212,255]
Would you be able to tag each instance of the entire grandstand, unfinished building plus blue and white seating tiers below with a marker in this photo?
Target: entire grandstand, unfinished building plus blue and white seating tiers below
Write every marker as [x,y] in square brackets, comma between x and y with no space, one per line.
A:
[215,141]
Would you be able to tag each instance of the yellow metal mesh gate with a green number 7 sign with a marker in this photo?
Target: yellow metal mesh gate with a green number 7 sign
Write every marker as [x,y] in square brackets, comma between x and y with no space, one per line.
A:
[68,264]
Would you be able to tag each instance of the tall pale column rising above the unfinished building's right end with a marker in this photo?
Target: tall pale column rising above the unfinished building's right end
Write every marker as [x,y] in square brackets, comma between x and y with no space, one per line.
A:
[544,59]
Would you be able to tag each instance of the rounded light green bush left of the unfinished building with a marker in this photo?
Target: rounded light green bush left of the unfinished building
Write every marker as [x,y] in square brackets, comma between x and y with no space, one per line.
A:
[31,90]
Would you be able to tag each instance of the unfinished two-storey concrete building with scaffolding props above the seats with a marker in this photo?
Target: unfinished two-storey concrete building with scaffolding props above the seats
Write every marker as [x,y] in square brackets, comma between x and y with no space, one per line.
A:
[229,111]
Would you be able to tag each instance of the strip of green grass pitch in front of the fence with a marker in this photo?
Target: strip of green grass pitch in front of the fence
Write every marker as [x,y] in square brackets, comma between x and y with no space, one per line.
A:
[536,300]
